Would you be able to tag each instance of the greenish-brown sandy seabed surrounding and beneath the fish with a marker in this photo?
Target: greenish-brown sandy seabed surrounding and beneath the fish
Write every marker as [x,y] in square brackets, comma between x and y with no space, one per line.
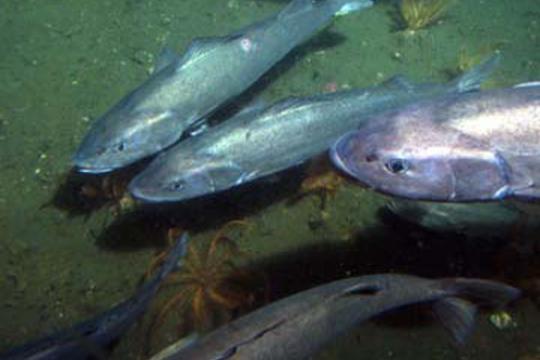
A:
[70,249]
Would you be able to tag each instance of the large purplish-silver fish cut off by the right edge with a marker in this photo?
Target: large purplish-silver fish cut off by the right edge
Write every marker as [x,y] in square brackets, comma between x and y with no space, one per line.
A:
[478,146]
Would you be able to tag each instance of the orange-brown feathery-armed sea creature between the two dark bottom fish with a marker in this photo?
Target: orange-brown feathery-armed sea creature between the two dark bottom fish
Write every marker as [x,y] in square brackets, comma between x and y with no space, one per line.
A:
[212,287]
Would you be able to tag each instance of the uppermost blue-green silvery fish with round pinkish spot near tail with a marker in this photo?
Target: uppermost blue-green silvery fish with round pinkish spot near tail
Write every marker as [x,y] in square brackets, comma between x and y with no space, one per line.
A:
[184,90]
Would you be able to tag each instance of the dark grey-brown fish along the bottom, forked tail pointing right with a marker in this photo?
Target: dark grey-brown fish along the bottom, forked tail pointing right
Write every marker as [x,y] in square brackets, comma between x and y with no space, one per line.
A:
[299,326]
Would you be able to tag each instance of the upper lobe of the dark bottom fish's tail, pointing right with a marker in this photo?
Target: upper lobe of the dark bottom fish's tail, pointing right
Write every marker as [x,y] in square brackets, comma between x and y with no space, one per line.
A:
[483,292]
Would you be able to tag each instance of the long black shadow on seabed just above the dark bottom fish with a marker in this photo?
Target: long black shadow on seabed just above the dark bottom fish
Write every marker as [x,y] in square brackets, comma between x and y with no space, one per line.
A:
[400,247]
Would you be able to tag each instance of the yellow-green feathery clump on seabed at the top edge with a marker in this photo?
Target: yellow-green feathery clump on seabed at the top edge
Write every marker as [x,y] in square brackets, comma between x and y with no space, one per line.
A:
[417,14]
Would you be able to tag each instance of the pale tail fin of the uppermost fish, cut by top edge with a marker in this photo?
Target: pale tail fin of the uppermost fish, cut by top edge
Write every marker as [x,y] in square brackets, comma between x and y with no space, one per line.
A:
[337,7]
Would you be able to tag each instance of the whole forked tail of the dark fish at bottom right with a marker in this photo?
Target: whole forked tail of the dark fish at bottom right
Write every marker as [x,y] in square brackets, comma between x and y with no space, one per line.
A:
[457,314]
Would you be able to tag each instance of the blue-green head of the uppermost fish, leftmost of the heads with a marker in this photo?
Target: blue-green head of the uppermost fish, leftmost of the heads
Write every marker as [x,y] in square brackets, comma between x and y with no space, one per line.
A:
[121,138]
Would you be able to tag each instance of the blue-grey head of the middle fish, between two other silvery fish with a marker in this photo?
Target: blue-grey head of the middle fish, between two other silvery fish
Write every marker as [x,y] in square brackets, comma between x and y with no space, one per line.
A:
[173,177]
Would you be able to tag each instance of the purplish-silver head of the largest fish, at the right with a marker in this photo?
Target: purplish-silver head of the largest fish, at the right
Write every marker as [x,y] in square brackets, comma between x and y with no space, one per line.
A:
[422,161]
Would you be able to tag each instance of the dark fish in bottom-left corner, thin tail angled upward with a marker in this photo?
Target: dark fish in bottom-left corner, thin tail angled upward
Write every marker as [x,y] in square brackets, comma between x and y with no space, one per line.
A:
[91,337]
